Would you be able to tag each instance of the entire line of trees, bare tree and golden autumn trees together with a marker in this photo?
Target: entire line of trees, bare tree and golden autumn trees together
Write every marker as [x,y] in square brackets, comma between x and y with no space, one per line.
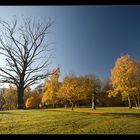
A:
[23,44]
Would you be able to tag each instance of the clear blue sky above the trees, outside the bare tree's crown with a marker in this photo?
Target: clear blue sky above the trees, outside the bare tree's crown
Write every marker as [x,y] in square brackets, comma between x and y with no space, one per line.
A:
[88,38]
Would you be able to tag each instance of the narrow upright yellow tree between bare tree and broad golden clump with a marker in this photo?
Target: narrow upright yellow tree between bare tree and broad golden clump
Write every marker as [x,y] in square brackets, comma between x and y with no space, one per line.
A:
[50,88]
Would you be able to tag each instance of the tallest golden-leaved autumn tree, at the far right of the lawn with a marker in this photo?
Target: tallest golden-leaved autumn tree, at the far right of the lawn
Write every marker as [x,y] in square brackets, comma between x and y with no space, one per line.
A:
[124,78]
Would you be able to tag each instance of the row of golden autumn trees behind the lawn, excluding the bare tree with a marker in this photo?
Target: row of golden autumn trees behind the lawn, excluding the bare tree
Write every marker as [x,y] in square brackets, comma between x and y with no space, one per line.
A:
[74,91]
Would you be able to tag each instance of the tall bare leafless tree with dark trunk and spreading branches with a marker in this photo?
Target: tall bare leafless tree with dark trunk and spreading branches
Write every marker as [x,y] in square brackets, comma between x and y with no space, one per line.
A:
[22,43]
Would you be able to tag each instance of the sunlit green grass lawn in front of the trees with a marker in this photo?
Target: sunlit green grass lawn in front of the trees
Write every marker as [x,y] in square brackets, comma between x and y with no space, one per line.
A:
[115,120]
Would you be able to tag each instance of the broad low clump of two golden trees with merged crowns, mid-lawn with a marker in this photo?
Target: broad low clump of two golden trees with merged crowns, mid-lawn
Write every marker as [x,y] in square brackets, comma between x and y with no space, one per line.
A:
[75,89]
